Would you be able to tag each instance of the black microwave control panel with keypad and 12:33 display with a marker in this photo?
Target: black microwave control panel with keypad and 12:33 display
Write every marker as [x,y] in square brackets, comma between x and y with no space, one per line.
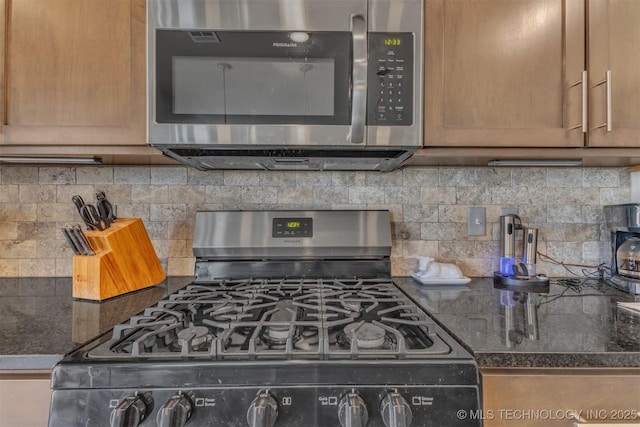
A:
[390,79]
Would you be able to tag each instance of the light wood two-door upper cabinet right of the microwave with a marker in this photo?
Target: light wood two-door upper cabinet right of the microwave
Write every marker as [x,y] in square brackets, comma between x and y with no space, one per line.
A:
[509,73]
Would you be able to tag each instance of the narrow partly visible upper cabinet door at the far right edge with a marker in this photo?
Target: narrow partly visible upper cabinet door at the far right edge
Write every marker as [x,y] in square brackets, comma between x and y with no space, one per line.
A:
[614,47]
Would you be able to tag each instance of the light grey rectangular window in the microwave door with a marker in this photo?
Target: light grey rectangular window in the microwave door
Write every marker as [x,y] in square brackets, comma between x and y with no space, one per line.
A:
[253,87]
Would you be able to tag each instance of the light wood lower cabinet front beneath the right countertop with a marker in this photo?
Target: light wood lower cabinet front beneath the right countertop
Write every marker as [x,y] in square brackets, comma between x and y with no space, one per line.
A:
[548,397]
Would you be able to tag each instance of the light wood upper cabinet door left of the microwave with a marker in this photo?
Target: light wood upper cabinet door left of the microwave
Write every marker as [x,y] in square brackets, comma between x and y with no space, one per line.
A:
[75,72]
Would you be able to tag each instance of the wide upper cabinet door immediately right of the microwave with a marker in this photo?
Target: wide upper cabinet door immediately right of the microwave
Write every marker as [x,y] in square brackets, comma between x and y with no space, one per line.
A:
[504,73]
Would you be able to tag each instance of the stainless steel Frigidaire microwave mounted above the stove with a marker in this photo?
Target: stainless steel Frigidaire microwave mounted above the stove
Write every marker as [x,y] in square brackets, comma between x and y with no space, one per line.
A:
[285,84]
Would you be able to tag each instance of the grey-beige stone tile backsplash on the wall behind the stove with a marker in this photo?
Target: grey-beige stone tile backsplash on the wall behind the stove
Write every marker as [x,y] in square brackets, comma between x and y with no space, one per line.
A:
[428,208]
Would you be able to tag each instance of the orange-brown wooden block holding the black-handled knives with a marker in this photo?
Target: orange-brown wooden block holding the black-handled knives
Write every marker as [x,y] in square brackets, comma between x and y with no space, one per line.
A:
[124,261]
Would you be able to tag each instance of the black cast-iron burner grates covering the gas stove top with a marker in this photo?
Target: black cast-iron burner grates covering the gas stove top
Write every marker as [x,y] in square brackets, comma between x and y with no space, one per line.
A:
[269,319]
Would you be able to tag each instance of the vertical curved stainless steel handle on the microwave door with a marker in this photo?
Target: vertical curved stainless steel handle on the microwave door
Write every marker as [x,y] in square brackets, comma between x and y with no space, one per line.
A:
[359,86]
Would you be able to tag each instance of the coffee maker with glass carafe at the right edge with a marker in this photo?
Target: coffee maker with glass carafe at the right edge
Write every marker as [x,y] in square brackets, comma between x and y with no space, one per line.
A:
[623,225]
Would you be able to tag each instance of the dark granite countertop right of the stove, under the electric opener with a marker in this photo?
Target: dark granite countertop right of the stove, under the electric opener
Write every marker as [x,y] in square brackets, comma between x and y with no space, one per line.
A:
[578,322]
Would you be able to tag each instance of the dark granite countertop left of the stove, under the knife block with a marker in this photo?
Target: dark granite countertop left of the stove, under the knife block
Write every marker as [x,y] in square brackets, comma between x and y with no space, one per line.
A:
[40,322]
